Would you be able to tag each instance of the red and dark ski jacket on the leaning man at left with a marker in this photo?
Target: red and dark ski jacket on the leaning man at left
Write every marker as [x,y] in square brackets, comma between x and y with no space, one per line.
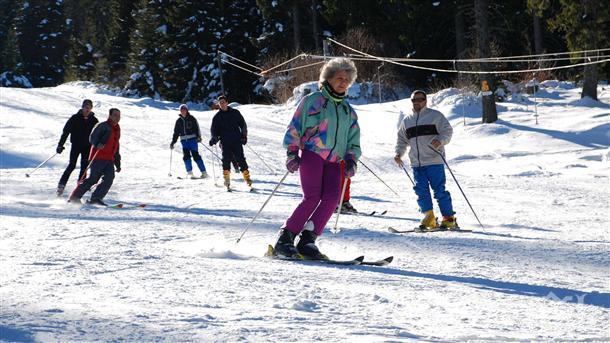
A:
[107,134]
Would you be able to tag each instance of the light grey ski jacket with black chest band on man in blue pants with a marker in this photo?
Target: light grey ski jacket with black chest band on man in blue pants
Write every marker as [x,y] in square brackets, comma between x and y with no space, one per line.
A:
[417,131]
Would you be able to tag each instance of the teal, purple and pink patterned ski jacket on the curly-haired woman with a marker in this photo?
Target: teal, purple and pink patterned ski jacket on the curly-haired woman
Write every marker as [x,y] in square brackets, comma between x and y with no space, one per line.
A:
[326,126]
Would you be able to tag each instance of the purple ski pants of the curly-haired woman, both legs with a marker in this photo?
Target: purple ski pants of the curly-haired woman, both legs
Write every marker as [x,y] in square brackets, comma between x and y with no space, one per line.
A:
[320,181]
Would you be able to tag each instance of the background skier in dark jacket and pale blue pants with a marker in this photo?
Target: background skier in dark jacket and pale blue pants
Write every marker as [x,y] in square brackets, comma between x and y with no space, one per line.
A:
[188,130]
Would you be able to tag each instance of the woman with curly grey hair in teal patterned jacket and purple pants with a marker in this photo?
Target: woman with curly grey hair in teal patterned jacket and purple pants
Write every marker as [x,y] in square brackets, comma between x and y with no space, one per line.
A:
[324,129]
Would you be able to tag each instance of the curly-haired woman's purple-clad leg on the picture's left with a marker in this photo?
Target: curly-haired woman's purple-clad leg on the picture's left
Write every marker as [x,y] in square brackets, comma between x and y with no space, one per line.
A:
[311,170]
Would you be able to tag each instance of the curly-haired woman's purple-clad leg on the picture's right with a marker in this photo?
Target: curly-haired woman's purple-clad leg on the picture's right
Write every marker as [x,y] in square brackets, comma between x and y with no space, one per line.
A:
[330,194]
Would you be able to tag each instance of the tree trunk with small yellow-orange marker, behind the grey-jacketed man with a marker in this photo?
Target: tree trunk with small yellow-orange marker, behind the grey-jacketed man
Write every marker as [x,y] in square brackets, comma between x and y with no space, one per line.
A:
[490,113]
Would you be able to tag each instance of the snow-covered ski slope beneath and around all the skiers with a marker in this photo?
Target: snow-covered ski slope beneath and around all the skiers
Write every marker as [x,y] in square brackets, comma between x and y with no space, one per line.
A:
[539,269]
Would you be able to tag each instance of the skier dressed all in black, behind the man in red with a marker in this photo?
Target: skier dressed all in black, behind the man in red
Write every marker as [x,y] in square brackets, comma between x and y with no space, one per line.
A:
[79,128]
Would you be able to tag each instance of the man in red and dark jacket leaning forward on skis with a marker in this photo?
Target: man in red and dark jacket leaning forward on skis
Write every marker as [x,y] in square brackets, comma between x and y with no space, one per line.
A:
[104,153]
